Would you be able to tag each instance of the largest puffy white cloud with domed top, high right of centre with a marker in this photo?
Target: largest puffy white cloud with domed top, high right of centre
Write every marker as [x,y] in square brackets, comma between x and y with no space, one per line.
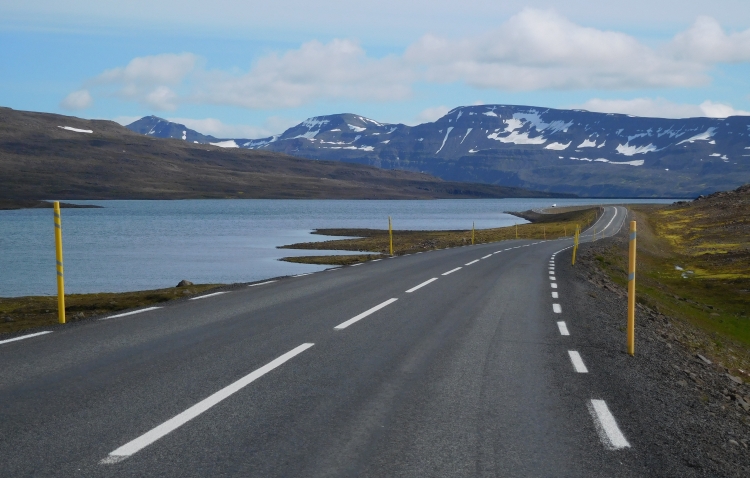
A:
[539,49]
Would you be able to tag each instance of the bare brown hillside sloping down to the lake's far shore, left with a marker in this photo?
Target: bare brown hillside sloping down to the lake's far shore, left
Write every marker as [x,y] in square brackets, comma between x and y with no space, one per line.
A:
[46,156]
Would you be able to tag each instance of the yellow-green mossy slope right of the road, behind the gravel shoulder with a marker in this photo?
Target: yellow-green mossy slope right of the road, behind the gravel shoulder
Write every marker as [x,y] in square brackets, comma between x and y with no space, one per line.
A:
[693,263]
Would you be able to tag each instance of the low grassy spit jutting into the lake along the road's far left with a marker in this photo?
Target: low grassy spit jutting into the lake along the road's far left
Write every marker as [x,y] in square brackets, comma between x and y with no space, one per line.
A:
[549,226]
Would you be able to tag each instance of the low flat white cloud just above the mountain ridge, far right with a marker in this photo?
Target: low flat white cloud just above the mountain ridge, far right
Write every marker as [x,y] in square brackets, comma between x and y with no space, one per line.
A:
[661,108]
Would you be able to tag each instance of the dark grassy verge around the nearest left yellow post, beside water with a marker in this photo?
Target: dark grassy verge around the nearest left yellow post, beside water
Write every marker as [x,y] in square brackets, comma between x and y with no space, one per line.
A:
[20,313]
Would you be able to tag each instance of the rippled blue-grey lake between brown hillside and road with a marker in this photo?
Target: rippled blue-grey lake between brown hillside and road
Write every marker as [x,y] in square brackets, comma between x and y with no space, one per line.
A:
[138,245]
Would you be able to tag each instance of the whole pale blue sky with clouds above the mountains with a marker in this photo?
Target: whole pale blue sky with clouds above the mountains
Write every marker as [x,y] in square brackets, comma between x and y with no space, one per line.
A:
[249,69]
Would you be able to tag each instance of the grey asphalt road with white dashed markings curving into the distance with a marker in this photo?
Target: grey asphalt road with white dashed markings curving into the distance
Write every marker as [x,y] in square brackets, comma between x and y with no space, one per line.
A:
[468,375]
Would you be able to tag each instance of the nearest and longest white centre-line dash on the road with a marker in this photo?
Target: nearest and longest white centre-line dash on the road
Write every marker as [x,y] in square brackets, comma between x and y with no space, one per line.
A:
[177,421]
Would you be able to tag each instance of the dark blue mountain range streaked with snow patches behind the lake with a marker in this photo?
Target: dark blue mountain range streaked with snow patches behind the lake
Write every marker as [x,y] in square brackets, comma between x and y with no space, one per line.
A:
[547,149]
